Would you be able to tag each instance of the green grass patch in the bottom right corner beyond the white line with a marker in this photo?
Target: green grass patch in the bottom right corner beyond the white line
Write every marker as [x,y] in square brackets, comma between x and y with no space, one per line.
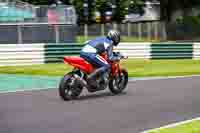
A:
[192,127]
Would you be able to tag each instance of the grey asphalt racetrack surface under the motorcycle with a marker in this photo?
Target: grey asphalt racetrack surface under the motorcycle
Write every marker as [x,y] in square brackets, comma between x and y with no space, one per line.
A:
[146,104]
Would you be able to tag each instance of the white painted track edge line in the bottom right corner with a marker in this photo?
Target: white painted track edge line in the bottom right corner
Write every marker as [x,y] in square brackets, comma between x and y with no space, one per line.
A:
[172,125]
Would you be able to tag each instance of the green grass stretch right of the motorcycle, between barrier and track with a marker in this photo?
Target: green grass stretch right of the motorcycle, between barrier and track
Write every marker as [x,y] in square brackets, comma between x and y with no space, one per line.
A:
[142,68]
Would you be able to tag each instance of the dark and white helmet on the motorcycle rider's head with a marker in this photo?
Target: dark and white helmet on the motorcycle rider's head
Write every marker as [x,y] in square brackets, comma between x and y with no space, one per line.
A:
[114,35]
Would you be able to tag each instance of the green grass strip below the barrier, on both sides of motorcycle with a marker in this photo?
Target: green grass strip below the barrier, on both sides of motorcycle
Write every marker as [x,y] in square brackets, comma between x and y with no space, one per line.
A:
[136,68]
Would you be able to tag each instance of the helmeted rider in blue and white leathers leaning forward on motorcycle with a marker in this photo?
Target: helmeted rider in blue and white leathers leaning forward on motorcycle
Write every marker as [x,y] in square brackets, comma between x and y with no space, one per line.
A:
[92,51]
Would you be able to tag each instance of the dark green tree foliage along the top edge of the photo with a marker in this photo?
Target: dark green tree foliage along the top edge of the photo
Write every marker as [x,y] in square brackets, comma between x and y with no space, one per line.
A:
[168,7]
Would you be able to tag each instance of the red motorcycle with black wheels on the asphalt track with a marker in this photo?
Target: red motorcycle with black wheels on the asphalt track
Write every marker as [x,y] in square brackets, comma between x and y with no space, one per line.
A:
[75,81]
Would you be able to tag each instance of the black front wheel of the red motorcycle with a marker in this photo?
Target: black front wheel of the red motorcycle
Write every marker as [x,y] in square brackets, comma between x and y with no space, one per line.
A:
[119,83]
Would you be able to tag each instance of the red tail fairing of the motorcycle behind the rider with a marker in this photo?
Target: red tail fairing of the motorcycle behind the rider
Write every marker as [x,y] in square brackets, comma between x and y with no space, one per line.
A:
[79,63]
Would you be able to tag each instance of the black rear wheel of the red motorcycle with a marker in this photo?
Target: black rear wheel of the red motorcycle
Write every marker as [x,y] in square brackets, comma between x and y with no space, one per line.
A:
[68,89]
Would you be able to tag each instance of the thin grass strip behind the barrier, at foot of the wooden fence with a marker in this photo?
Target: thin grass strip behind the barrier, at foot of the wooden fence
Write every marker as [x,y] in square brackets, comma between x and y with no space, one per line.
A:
[81,39]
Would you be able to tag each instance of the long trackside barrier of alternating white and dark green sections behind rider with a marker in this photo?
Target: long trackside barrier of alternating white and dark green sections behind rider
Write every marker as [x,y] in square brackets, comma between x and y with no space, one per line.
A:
[28,54]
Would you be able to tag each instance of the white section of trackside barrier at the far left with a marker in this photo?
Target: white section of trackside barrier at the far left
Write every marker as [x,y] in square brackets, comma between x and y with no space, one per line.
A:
[21,54]
